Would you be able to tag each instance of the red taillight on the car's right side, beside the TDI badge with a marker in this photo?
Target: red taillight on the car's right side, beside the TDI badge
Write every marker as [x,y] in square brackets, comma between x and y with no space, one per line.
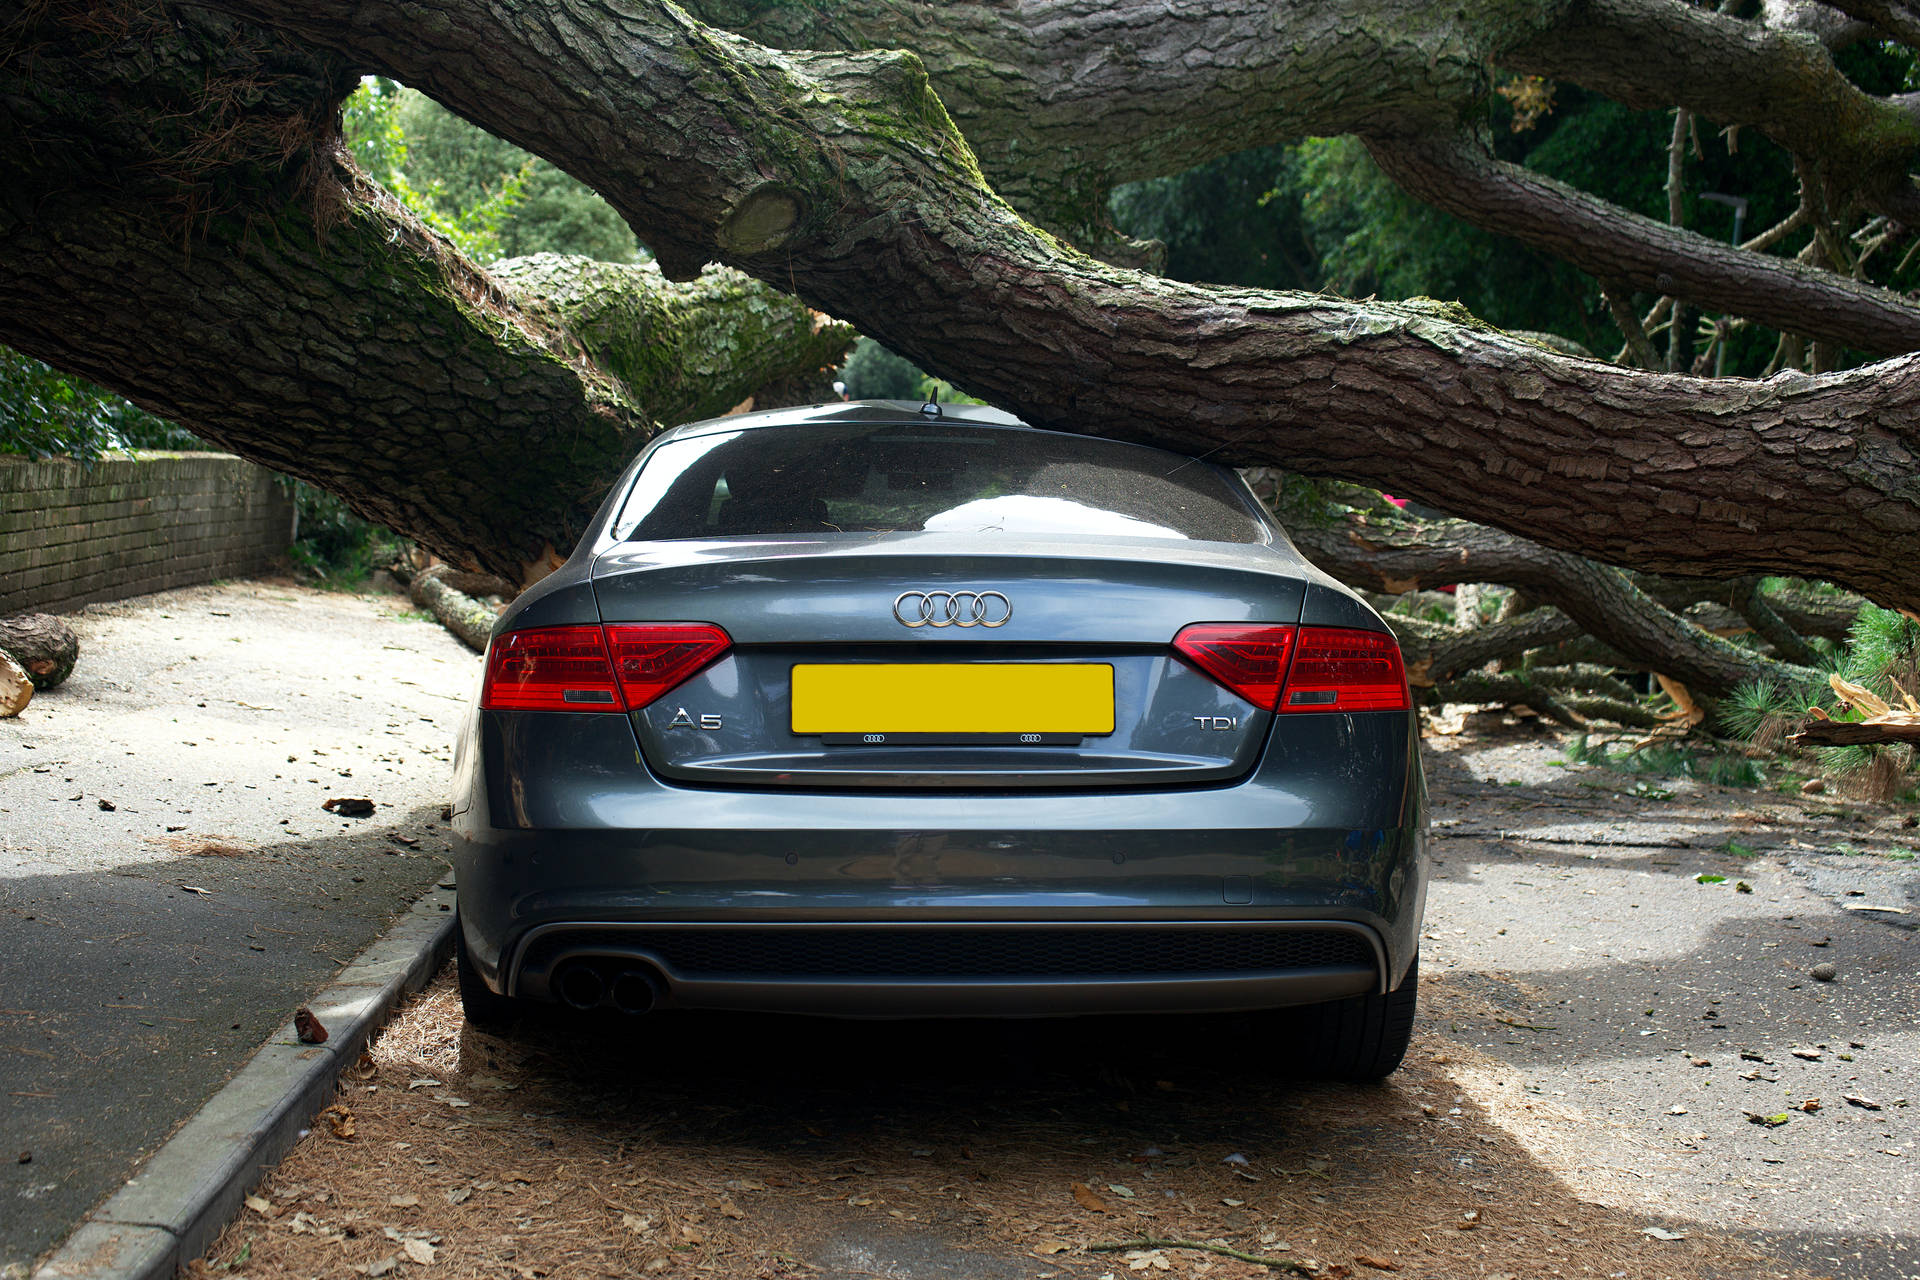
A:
[1301,669]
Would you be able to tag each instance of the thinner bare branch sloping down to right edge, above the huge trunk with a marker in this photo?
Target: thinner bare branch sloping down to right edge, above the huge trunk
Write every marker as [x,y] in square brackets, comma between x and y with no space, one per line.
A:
[1614,245]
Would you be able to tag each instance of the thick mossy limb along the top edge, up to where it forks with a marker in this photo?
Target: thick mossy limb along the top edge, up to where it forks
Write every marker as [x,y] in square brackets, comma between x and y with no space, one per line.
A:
[1067,99]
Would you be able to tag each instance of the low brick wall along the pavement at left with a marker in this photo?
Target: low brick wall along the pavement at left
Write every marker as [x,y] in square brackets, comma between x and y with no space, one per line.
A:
[133,525]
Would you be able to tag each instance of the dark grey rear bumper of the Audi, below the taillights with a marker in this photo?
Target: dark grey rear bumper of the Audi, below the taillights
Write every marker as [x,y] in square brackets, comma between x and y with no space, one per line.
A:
[606,865]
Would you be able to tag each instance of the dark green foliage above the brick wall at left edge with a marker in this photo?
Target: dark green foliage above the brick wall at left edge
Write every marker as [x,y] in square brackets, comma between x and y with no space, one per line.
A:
[45,414]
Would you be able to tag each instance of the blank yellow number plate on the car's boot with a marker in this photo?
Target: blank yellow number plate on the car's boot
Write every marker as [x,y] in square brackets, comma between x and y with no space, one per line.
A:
[953,698]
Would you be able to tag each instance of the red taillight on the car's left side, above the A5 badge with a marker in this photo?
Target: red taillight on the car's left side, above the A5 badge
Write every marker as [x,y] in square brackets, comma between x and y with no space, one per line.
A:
[575,669]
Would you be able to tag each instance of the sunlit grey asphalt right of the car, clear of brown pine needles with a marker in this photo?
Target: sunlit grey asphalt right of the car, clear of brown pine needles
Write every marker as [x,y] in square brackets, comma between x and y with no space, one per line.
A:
[1652,1012]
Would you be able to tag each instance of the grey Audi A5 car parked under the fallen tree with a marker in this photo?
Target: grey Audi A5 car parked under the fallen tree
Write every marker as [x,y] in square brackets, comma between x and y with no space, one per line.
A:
[875,709]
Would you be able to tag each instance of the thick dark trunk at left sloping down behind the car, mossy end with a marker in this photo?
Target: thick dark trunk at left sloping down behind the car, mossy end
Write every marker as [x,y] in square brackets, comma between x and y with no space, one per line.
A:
[180,224]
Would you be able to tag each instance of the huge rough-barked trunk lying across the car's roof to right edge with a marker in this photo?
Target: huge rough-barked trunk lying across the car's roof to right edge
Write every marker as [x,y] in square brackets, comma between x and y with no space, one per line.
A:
[842,178]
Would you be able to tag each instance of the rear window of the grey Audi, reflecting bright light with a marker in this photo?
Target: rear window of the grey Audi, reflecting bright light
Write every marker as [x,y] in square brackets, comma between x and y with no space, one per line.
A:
[888,479]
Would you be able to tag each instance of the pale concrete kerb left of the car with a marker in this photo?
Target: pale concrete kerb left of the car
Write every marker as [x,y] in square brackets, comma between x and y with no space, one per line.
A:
[174,1208]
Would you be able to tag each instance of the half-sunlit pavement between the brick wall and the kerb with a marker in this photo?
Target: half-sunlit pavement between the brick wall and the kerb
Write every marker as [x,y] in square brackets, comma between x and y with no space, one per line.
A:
[172,888]
